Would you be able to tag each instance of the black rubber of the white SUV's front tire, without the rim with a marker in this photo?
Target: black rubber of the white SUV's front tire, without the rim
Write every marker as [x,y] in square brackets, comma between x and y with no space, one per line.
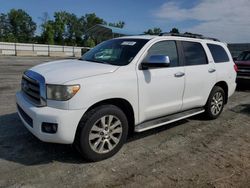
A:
[90,119]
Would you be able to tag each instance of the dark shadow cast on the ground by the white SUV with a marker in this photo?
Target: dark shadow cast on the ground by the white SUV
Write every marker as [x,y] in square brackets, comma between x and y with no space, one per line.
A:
[18,145]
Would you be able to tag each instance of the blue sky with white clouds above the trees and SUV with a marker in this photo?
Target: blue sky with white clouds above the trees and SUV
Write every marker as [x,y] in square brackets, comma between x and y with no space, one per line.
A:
[227,20]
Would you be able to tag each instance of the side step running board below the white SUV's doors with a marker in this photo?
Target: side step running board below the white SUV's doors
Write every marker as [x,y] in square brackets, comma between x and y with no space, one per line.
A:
[167,119]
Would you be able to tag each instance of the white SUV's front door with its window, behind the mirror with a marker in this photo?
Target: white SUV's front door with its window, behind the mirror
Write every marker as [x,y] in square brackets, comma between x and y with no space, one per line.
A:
[161,89]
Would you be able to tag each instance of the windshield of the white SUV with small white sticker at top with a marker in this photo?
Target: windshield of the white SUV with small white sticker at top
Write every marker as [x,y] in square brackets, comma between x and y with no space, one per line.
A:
[116,51]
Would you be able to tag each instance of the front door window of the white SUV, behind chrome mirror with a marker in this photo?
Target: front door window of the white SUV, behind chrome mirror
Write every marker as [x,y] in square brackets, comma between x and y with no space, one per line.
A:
[167,48]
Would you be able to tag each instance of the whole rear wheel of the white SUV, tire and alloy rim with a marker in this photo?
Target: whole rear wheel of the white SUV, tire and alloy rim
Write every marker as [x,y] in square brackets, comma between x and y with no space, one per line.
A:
[215,103]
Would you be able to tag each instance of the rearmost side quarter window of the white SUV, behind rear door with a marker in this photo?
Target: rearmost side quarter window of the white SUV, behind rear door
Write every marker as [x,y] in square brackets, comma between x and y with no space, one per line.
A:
[218,53]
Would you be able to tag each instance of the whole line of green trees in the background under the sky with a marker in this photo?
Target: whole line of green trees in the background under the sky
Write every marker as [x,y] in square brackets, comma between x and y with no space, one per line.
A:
[63,29]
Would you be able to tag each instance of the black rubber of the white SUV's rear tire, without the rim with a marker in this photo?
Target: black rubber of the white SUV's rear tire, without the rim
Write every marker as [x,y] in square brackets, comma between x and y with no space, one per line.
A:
[209,113]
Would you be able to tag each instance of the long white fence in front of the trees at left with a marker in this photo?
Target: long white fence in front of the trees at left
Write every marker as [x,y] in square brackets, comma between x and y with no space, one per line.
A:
[23,49]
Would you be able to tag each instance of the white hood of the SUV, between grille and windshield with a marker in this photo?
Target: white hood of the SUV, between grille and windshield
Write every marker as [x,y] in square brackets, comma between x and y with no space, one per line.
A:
[59,72]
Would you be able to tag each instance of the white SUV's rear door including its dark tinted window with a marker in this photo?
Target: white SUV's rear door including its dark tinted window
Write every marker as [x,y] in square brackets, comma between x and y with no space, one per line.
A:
[200,74]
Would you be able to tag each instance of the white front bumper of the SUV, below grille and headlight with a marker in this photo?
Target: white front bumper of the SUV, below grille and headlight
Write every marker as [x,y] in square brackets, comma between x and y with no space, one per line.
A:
[67,121]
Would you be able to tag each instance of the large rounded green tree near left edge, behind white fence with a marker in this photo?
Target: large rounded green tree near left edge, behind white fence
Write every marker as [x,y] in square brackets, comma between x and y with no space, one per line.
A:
[21,25]
